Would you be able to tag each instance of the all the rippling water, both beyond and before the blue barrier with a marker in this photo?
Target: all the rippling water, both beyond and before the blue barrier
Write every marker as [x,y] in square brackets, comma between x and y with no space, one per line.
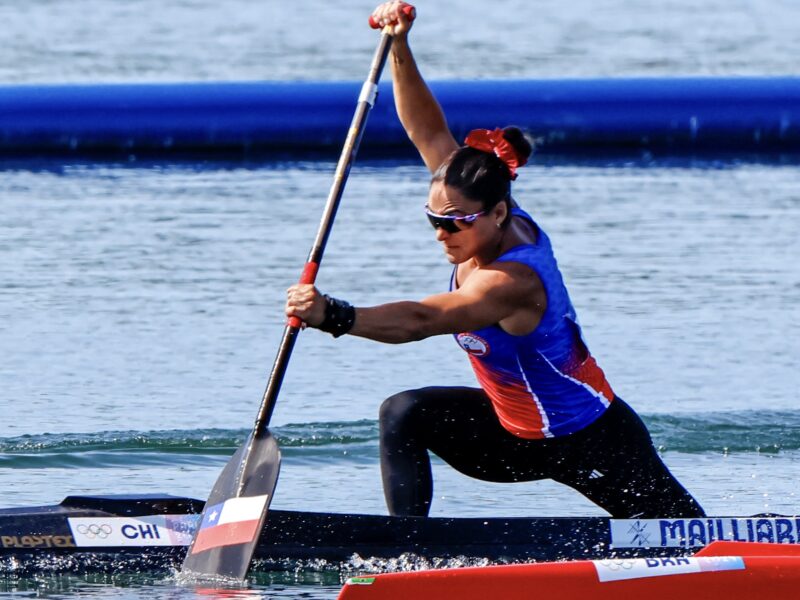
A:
[140,305]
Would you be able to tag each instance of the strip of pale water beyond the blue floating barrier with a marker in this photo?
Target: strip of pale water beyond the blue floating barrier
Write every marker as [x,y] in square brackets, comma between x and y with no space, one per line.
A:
[100,40]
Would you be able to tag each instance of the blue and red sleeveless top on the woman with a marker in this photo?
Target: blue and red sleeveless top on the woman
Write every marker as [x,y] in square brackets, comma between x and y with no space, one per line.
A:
[546,383]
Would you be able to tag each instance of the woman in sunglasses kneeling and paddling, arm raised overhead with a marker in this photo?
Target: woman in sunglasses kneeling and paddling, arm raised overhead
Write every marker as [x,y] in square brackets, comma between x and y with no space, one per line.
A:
[544,408]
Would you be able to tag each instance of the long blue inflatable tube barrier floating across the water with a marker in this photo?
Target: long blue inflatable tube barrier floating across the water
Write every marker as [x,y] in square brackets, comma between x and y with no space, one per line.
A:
[677,115]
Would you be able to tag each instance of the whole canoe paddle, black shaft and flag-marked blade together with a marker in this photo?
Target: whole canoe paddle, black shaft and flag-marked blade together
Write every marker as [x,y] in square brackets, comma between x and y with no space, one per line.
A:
[236,510]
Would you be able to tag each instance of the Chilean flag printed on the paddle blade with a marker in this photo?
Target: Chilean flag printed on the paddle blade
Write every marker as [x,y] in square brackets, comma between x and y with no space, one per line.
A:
[234,521]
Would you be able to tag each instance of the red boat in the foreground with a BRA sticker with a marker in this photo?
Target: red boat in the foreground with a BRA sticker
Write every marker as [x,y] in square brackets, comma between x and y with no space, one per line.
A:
[730,570]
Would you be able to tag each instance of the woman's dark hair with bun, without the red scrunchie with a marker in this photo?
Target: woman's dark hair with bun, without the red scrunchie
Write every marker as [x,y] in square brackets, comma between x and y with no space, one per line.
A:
[482,176]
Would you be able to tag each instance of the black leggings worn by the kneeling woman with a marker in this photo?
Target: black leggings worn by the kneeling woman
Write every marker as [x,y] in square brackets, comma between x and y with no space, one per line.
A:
[612,461]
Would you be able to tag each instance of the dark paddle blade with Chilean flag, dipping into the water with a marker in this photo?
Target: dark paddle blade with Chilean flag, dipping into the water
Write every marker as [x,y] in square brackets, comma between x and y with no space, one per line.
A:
[235,513]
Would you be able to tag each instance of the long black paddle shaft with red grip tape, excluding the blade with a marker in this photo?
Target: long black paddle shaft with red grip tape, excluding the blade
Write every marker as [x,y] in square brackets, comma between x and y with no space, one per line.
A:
[366,100]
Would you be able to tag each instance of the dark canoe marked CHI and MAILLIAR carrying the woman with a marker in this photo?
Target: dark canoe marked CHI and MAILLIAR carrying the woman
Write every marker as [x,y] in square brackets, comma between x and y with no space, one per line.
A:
[138,532]
